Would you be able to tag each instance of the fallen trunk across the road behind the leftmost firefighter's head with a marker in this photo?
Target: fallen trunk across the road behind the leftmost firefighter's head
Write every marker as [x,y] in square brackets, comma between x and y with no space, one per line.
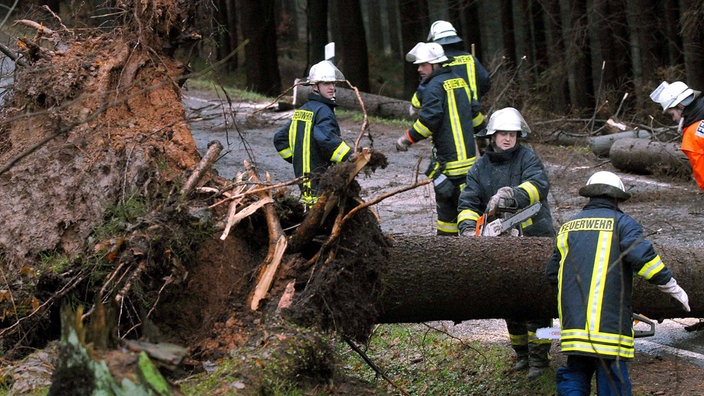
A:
[376,105]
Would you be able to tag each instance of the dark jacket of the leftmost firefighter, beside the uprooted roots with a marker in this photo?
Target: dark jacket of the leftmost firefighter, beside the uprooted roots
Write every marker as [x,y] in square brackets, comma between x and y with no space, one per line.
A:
[311,141]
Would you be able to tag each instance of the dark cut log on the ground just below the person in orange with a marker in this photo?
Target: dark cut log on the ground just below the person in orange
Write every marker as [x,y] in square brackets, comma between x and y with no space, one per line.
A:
[649,157]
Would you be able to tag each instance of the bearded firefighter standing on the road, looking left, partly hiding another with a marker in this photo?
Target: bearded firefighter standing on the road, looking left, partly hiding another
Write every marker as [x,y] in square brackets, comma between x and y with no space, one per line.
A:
[449,116]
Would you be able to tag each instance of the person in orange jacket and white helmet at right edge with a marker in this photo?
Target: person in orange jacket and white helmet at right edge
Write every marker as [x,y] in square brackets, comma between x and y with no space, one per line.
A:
[686,107]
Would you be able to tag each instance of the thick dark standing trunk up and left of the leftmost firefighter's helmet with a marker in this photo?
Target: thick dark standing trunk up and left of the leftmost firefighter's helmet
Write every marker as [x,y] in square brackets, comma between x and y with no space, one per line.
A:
[259,26]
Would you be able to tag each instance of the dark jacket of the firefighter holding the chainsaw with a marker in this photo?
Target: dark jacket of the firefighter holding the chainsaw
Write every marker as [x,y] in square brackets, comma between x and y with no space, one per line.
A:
[518,168]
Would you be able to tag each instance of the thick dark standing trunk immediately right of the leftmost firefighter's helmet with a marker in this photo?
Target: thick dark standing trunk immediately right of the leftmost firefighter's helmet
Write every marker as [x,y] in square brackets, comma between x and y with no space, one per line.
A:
[352,47]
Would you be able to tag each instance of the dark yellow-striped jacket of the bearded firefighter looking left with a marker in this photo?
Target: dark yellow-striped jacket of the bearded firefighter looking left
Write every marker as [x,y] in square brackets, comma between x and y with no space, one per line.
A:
[448,115]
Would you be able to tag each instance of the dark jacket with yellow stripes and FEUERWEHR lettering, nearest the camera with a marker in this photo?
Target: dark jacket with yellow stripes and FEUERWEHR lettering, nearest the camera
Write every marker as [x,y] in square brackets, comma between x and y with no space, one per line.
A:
[597,253]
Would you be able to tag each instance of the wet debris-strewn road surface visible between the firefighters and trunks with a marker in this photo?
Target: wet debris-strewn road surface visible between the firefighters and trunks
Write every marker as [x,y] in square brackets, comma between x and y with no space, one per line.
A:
[670,209]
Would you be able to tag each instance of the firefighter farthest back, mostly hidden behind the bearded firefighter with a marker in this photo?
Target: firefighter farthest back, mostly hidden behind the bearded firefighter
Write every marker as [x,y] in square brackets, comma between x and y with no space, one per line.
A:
[462,62]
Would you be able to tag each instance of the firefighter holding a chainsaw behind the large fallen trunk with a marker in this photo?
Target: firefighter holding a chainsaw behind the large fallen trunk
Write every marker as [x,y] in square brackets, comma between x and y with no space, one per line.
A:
[510,174]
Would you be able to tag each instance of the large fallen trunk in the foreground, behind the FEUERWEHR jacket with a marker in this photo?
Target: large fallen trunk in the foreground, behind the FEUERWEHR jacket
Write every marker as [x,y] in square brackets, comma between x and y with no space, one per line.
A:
[431,278]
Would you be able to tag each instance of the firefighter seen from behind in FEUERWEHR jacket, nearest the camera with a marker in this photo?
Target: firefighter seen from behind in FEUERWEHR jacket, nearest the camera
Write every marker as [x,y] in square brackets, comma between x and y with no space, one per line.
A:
[596,256]
